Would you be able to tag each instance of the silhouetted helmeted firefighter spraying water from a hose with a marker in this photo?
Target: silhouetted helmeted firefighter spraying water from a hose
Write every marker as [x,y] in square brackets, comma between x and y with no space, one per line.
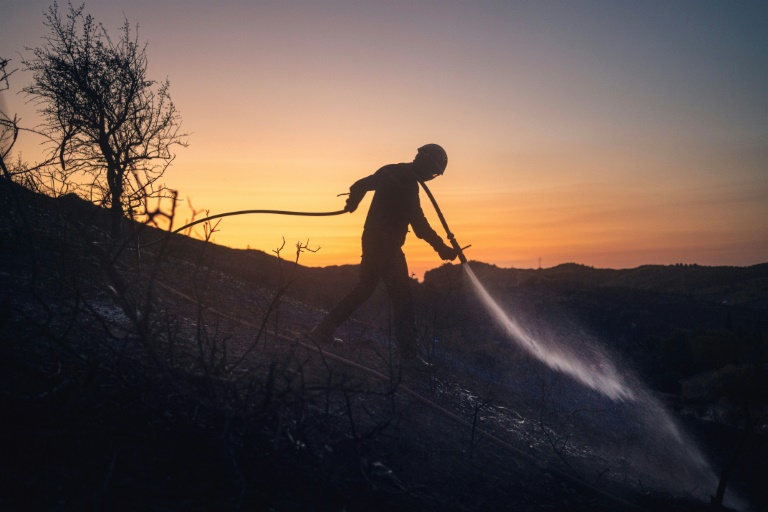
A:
[394,207]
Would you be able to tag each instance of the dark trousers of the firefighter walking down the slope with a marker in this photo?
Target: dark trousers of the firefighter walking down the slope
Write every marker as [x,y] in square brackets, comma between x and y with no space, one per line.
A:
[391,268]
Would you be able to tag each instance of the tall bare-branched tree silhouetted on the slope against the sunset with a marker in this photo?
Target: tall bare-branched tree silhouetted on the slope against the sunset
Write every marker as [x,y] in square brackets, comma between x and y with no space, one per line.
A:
[105,117]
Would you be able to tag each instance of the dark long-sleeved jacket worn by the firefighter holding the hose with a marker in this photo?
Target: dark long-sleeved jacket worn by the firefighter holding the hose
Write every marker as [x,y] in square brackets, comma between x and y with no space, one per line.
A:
[395,205]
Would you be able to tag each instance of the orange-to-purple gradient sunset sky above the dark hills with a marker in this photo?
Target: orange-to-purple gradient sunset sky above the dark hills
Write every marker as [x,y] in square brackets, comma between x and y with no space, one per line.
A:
[612,133]
